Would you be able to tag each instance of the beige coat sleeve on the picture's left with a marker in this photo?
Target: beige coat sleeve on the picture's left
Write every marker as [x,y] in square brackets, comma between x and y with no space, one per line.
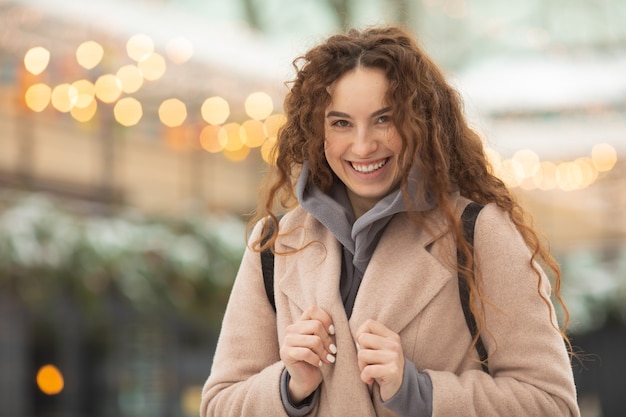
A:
[246,370]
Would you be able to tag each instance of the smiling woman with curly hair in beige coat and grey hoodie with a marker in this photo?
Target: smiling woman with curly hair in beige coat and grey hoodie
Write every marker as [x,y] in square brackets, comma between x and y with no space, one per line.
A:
[375,165]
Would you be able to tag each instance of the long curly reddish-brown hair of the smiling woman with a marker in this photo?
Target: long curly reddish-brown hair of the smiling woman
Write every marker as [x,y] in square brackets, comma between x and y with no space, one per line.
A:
[437,140]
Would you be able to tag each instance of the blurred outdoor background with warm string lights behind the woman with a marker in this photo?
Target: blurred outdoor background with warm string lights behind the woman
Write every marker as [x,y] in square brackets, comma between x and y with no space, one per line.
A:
[134,136]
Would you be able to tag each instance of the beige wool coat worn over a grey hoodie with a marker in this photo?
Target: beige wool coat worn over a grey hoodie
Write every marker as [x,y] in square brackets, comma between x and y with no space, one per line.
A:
[411,287]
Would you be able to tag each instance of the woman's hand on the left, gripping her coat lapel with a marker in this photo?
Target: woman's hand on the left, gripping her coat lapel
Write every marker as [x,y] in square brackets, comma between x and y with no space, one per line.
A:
[307,345]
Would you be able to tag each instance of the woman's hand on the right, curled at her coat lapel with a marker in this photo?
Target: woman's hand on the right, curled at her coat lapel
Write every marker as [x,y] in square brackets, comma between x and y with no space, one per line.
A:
[380,357]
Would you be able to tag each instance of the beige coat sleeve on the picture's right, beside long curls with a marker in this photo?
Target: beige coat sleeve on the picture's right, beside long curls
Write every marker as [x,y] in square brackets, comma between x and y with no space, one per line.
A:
[529,369]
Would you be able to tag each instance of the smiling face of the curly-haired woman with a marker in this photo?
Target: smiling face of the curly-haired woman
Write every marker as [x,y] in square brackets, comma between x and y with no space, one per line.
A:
[362,145]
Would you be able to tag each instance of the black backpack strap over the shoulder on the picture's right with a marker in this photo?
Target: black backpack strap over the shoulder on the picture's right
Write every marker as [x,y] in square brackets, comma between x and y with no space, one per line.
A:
[469,220]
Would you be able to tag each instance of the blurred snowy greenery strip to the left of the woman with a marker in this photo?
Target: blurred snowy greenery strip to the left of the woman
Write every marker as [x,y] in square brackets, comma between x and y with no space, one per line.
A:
[50,251]
